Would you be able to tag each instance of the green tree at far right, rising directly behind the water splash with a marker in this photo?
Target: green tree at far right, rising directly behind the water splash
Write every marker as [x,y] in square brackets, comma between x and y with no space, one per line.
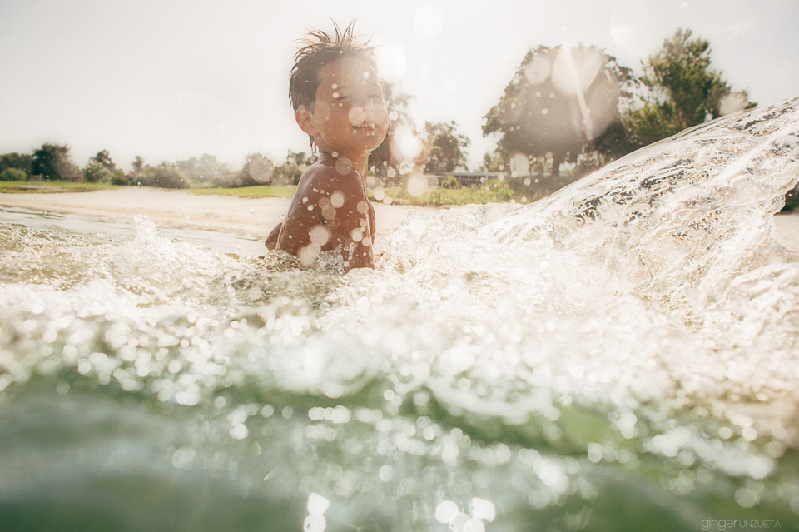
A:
[681,91]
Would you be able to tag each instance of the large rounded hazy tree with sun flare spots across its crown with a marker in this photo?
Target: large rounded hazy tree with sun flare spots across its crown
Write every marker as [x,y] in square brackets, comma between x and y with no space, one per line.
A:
[561,100]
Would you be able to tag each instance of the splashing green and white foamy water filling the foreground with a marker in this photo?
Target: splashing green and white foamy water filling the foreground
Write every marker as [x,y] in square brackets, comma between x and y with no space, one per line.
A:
[620,356]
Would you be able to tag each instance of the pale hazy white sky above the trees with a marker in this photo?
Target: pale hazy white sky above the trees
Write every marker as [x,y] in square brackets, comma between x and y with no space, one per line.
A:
[171,79]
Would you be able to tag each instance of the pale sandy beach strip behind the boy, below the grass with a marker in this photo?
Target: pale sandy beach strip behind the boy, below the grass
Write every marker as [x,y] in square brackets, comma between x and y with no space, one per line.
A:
[249,217]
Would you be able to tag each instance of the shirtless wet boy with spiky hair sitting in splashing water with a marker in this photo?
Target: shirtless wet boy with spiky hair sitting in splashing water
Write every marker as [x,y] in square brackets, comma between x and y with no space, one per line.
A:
[339,103]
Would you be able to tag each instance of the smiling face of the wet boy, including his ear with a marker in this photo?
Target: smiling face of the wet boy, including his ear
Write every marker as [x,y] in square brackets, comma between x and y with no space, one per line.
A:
[350,116]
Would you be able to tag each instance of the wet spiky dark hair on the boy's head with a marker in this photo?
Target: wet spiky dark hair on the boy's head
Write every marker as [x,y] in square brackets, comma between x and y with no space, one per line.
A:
[318,50]
